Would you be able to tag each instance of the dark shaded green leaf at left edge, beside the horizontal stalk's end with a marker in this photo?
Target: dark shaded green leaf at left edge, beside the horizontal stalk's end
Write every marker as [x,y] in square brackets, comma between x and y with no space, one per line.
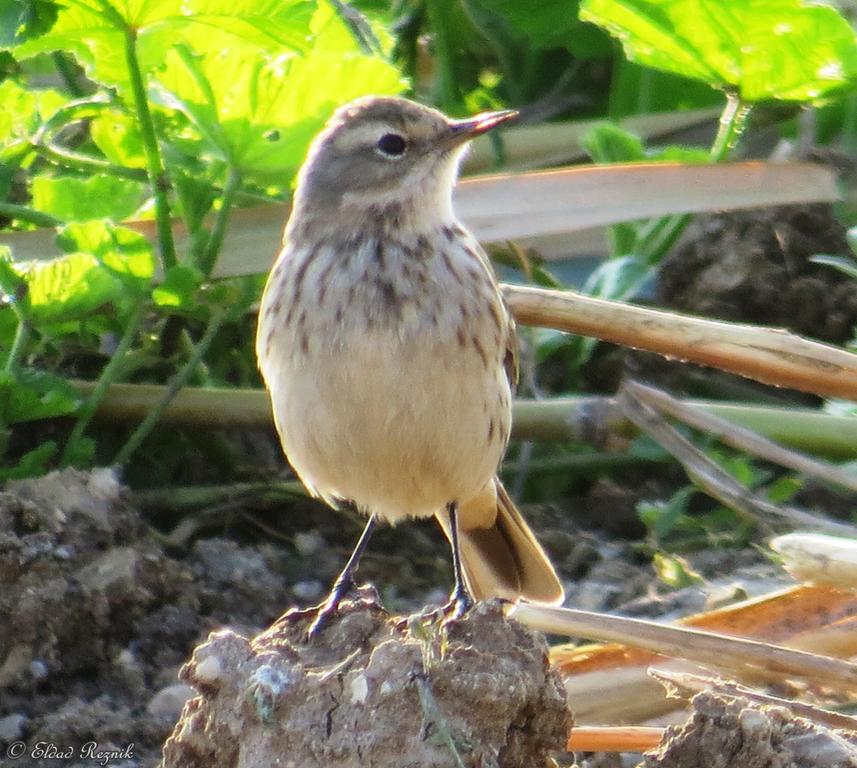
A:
[32,395]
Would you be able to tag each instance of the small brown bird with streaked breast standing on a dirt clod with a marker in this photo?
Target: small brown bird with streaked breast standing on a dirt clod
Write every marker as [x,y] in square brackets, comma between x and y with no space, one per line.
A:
[388,351]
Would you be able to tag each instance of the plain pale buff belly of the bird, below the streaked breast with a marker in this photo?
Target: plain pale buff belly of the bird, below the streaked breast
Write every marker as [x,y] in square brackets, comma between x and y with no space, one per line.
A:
[401,429]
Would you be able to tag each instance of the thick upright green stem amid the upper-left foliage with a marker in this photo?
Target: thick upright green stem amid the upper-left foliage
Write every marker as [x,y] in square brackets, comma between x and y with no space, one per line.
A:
[157,173]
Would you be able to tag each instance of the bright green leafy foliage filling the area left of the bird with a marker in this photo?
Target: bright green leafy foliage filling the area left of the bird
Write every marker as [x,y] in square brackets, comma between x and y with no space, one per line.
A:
[189,105]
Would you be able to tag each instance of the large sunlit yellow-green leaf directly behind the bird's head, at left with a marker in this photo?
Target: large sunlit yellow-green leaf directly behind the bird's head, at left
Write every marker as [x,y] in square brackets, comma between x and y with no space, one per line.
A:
[258,113]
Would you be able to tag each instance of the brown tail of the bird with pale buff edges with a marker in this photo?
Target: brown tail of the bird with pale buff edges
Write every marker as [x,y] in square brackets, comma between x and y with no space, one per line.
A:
[500,556]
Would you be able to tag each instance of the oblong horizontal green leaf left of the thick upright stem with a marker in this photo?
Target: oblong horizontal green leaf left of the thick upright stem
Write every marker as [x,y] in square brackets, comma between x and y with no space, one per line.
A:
[70,198]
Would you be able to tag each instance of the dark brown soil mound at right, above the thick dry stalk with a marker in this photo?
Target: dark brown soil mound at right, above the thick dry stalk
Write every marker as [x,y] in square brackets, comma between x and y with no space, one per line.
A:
[754,266]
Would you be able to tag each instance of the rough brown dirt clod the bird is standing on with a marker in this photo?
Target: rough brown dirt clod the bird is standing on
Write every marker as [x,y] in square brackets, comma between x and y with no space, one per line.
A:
[373,691]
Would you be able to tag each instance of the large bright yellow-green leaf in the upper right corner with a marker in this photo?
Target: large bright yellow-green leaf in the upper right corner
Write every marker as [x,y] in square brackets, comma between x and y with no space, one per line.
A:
[767,49]
